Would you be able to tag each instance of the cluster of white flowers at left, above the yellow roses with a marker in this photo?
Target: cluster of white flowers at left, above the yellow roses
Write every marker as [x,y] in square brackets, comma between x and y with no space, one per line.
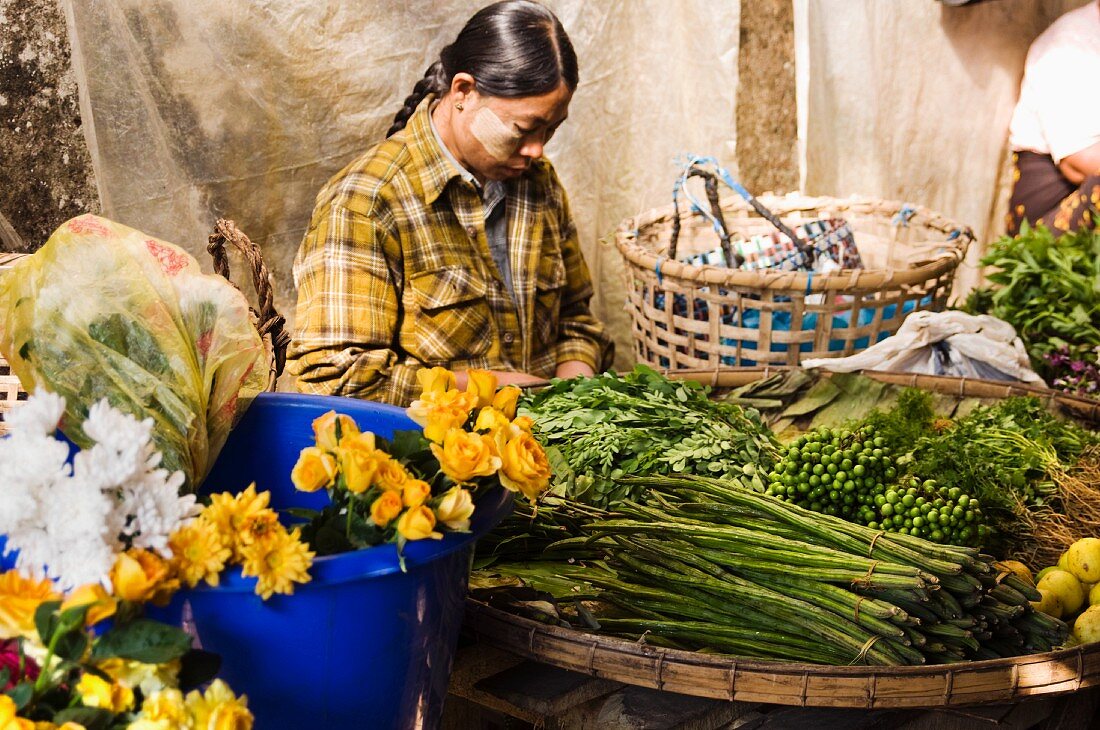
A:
[71,523]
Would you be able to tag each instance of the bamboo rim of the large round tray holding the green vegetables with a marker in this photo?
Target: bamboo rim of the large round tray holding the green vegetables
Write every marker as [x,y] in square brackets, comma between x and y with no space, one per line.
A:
[720,677]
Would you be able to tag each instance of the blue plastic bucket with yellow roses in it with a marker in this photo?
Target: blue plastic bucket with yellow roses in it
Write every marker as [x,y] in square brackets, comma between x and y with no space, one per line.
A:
[391,512]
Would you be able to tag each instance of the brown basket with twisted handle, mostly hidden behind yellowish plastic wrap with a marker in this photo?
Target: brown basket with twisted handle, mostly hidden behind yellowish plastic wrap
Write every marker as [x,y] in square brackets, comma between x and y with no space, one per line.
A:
[269,323]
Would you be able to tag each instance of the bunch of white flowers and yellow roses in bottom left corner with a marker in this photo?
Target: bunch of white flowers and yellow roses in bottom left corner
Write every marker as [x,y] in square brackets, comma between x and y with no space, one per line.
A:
[92,538]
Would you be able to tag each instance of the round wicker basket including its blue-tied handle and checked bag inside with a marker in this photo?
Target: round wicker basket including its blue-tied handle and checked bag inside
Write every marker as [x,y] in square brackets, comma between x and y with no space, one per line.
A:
[695,305]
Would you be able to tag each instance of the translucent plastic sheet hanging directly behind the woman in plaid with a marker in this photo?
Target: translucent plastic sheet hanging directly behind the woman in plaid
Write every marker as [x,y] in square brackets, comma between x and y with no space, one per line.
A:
[200,109]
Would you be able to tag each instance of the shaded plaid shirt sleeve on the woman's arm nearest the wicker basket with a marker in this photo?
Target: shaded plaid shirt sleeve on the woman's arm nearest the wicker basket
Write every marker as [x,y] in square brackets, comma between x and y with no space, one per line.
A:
[582,337]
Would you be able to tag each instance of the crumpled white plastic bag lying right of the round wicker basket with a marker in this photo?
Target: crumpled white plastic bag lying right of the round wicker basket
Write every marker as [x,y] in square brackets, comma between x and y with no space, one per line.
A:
[950,344]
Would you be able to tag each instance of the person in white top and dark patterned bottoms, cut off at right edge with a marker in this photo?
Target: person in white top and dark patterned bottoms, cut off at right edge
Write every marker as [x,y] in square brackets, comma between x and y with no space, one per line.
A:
[1055,132]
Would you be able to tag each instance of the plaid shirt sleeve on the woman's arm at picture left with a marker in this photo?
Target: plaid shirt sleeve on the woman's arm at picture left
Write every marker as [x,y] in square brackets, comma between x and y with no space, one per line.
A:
[346,323]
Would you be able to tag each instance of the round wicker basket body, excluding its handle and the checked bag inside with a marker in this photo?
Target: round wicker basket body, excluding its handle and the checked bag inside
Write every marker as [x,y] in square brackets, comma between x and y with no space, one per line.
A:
[707,317]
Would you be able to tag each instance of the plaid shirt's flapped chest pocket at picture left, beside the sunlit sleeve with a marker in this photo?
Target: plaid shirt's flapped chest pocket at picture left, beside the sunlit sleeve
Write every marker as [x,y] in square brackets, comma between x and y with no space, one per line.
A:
[453,318]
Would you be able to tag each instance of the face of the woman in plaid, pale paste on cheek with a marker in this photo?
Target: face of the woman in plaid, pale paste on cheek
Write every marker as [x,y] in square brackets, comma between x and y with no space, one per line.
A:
[499,139]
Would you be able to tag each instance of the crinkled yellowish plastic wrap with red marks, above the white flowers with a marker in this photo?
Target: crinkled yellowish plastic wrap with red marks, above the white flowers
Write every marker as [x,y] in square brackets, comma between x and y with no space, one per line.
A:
[106,312]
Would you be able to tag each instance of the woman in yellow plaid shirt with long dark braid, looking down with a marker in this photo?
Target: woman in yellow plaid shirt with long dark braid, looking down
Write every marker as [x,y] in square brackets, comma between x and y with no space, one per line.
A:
[452,244]
